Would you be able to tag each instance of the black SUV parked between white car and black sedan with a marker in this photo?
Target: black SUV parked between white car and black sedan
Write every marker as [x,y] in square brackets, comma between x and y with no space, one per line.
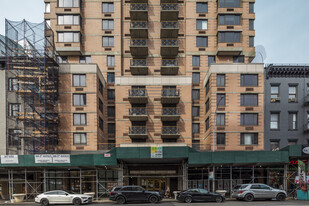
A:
[133,194]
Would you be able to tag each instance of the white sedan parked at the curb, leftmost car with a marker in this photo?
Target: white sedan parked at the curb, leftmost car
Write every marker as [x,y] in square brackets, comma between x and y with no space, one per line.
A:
[62,197]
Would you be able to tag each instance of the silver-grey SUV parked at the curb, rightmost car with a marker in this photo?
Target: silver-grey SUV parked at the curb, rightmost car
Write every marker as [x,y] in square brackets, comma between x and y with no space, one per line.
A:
[250,192]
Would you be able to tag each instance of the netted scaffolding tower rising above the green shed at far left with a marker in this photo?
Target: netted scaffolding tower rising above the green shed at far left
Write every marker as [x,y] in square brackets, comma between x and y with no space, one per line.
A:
[32,90]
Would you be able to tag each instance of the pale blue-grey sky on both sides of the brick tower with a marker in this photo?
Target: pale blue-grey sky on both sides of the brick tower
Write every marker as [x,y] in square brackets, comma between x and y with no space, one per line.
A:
[282,26]
